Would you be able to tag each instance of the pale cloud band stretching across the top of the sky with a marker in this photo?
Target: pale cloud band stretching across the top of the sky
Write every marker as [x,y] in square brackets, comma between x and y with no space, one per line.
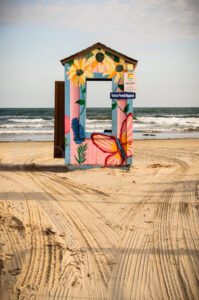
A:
[148,20]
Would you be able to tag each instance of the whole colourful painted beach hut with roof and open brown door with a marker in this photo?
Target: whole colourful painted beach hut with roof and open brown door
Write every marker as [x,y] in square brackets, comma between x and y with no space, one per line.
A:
[110,148]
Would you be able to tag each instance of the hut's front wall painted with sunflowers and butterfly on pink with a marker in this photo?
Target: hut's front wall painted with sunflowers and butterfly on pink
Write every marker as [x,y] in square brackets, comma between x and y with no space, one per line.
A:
[97,149]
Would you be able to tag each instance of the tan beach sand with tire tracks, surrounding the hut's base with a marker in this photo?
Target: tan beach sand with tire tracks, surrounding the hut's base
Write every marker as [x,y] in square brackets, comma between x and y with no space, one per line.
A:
[100,233]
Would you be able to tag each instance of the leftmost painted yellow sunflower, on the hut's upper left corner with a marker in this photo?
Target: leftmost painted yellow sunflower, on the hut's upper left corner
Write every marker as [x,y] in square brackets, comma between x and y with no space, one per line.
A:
[79,71]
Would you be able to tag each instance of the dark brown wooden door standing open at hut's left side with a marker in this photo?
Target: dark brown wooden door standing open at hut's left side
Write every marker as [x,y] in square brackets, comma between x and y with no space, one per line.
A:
[59,132]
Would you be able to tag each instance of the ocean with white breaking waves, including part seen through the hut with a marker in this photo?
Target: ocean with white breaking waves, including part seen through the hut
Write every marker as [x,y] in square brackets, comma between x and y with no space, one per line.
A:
[37,124]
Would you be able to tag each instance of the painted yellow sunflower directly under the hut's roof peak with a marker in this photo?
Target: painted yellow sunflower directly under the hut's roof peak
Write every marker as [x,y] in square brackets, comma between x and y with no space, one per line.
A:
[100,59]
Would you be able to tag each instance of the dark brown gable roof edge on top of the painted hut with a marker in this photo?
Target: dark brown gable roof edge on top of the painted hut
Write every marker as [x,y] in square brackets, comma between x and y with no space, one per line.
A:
[99,45]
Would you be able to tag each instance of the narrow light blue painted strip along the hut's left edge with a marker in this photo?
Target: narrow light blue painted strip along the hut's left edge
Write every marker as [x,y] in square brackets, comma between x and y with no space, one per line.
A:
[67,113]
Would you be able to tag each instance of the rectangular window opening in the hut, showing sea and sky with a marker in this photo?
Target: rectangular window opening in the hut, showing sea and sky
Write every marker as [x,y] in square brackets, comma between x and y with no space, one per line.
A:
[98,105]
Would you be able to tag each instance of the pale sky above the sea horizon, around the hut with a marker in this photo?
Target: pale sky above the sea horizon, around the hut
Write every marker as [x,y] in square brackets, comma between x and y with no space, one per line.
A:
[163,35]
